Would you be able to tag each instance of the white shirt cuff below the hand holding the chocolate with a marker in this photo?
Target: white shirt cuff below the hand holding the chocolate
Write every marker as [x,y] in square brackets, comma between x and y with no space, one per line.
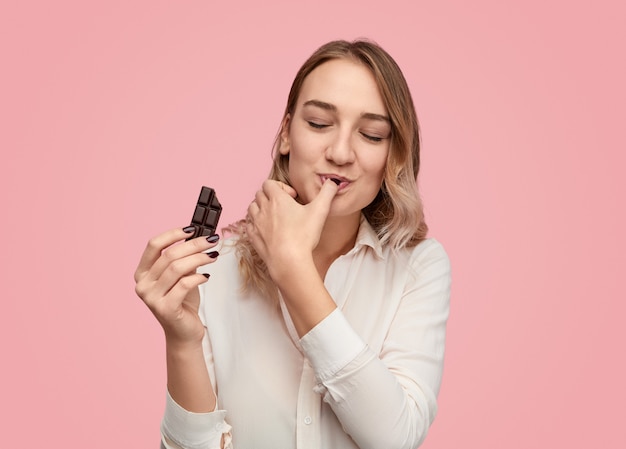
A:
[193,430]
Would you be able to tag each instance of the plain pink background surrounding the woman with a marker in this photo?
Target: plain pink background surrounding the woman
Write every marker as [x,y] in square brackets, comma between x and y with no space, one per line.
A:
[114,113]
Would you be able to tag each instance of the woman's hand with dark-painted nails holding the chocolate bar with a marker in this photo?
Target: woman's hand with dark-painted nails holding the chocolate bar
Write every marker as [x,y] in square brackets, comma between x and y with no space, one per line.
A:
[167,282]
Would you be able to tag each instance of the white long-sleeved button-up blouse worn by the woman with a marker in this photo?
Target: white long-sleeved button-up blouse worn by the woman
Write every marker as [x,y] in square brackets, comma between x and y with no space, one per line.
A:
[366,377]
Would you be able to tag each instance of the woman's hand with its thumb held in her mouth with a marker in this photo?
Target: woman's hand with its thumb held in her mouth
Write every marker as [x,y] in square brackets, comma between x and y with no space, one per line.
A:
[282,230]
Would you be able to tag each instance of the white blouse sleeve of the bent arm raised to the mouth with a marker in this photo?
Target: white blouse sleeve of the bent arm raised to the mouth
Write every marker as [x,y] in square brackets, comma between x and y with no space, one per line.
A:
[388,399]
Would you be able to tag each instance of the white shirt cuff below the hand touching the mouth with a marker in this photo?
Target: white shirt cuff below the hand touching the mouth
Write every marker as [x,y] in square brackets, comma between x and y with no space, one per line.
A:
[331,345]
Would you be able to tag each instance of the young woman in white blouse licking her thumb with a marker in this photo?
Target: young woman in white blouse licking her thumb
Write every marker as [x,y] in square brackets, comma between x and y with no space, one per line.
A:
[322,324]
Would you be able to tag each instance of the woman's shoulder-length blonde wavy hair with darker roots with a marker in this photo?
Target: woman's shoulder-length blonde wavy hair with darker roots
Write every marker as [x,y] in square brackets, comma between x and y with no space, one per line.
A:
[396,214]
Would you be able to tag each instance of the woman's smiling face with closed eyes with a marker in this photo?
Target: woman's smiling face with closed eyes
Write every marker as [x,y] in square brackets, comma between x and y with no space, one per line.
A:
[339,129]
